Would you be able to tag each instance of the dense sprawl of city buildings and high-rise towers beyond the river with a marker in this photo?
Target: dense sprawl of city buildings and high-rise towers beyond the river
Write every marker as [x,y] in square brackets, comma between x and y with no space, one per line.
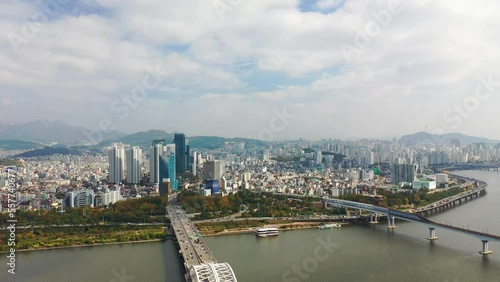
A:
[327,167]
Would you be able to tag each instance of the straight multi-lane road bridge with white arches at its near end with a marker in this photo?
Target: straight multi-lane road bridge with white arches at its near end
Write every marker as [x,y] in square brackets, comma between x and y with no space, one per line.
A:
[199,262]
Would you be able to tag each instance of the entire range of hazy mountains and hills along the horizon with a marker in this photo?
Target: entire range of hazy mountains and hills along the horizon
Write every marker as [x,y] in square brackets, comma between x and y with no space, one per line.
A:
[39,134]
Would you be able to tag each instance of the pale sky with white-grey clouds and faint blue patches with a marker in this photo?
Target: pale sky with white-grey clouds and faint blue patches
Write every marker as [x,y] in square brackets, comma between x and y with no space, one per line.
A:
[254,68]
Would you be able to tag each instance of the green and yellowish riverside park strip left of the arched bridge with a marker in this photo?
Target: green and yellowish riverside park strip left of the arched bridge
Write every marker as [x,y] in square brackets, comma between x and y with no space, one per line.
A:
[124,221]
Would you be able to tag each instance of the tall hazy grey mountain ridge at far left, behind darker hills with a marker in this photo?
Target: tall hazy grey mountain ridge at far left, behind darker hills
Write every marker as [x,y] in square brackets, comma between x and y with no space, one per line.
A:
[49,132]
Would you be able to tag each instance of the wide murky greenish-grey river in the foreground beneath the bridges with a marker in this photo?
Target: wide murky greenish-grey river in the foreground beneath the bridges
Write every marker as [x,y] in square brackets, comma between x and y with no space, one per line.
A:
[352,253]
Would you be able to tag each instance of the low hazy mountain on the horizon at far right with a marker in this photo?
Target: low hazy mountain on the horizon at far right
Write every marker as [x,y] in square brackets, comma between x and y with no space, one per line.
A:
[427,138]
